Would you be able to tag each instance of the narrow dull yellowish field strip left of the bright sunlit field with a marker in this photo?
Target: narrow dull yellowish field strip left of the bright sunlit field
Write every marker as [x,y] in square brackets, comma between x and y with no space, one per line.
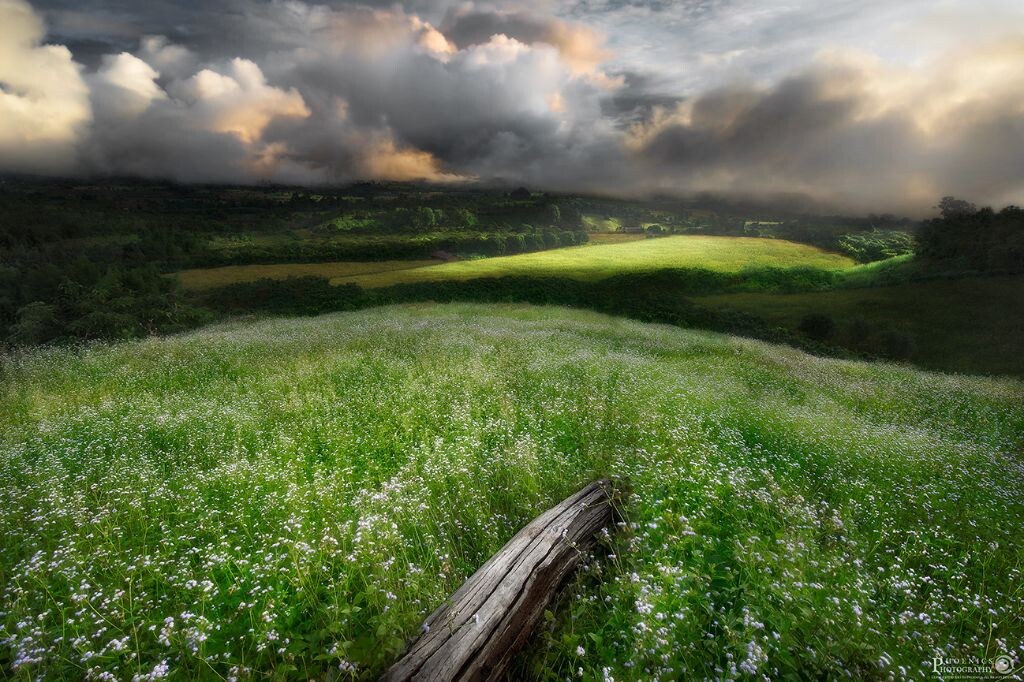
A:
[211,278]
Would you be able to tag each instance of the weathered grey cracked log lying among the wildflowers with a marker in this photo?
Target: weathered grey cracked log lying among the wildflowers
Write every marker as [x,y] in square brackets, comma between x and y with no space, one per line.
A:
[477,633]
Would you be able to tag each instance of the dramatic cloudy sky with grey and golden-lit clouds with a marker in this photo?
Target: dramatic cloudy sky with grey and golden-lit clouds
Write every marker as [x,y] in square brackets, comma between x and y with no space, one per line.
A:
[860,106]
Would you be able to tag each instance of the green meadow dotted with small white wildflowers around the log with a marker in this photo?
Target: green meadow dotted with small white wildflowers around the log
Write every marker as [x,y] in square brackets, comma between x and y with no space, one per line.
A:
[290,498]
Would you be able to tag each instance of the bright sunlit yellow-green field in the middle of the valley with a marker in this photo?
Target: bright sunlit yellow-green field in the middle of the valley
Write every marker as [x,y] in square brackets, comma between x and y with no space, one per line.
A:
[603,261]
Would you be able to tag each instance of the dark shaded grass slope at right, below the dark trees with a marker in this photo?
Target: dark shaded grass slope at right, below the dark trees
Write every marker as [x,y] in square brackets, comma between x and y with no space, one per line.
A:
[971,325]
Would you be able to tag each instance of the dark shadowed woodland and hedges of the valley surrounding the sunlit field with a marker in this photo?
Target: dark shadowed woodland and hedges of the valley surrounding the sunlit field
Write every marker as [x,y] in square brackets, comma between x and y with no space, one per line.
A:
[81,263]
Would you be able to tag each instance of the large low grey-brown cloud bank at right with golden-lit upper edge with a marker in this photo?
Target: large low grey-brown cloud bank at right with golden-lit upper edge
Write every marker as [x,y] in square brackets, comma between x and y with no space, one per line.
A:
[827,135]
